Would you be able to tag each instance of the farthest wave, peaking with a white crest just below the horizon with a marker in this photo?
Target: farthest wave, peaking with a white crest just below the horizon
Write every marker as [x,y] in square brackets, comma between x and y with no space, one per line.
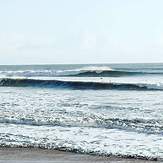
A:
[90,71]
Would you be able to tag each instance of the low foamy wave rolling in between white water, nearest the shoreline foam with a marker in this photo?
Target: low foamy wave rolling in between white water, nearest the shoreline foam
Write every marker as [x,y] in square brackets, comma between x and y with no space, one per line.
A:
[150,126]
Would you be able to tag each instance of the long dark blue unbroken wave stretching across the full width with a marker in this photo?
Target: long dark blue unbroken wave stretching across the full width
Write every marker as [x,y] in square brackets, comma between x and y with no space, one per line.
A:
[19,82]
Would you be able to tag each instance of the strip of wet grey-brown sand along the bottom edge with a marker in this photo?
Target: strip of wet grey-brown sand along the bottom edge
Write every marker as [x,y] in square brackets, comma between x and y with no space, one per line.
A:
[24,155]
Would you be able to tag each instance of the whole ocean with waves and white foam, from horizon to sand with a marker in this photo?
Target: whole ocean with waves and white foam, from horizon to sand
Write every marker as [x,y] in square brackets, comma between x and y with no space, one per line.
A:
[100,109]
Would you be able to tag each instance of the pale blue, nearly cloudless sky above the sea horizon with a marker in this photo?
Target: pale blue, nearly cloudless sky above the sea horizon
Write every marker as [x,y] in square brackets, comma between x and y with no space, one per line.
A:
[80,31]
